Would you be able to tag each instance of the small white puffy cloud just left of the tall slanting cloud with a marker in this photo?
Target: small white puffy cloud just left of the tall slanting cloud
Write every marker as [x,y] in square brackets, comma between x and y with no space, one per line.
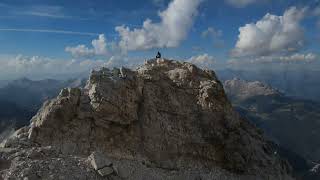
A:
[99,48]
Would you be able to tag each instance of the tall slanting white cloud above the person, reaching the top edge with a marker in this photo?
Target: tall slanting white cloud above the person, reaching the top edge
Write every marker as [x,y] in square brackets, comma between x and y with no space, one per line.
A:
[175,23]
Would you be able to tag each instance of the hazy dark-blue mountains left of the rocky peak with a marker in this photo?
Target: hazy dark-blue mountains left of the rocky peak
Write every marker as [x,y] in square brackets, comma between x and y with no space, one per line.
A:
[21,99]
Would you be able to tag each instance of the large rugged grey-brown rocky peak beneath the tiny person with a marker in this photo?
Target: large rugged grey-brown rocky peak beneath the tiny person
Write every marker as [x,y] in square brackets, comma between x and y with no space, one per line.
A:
[165,120]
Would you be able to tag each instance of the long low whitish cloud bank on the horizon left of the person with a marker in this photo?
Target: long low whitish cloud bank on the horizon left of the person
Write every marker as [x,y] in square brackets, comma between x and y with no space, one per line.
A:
[35,67]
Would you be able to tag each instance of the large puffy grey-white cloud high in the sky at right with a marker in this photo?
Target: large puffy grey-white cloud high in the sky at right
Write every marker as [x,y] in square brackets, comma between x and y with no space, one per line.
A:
[272,34]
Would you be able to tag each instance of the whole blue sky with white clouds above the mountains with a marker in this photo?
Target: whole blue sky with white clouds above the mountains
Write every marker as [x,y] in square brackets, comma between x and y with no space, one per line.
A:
[61,38]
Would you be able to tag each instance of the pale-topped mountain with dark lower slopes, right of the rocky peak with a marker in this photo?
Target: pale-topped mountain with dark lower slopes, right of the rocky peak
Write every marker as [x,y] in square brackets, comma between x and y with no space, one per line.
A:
[292,123]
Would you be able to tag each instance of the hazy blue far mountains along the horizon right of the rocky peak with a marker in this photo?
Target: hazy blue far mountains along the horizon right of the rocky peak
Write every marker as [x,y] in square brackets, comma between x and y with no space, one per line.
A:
[301,84]
